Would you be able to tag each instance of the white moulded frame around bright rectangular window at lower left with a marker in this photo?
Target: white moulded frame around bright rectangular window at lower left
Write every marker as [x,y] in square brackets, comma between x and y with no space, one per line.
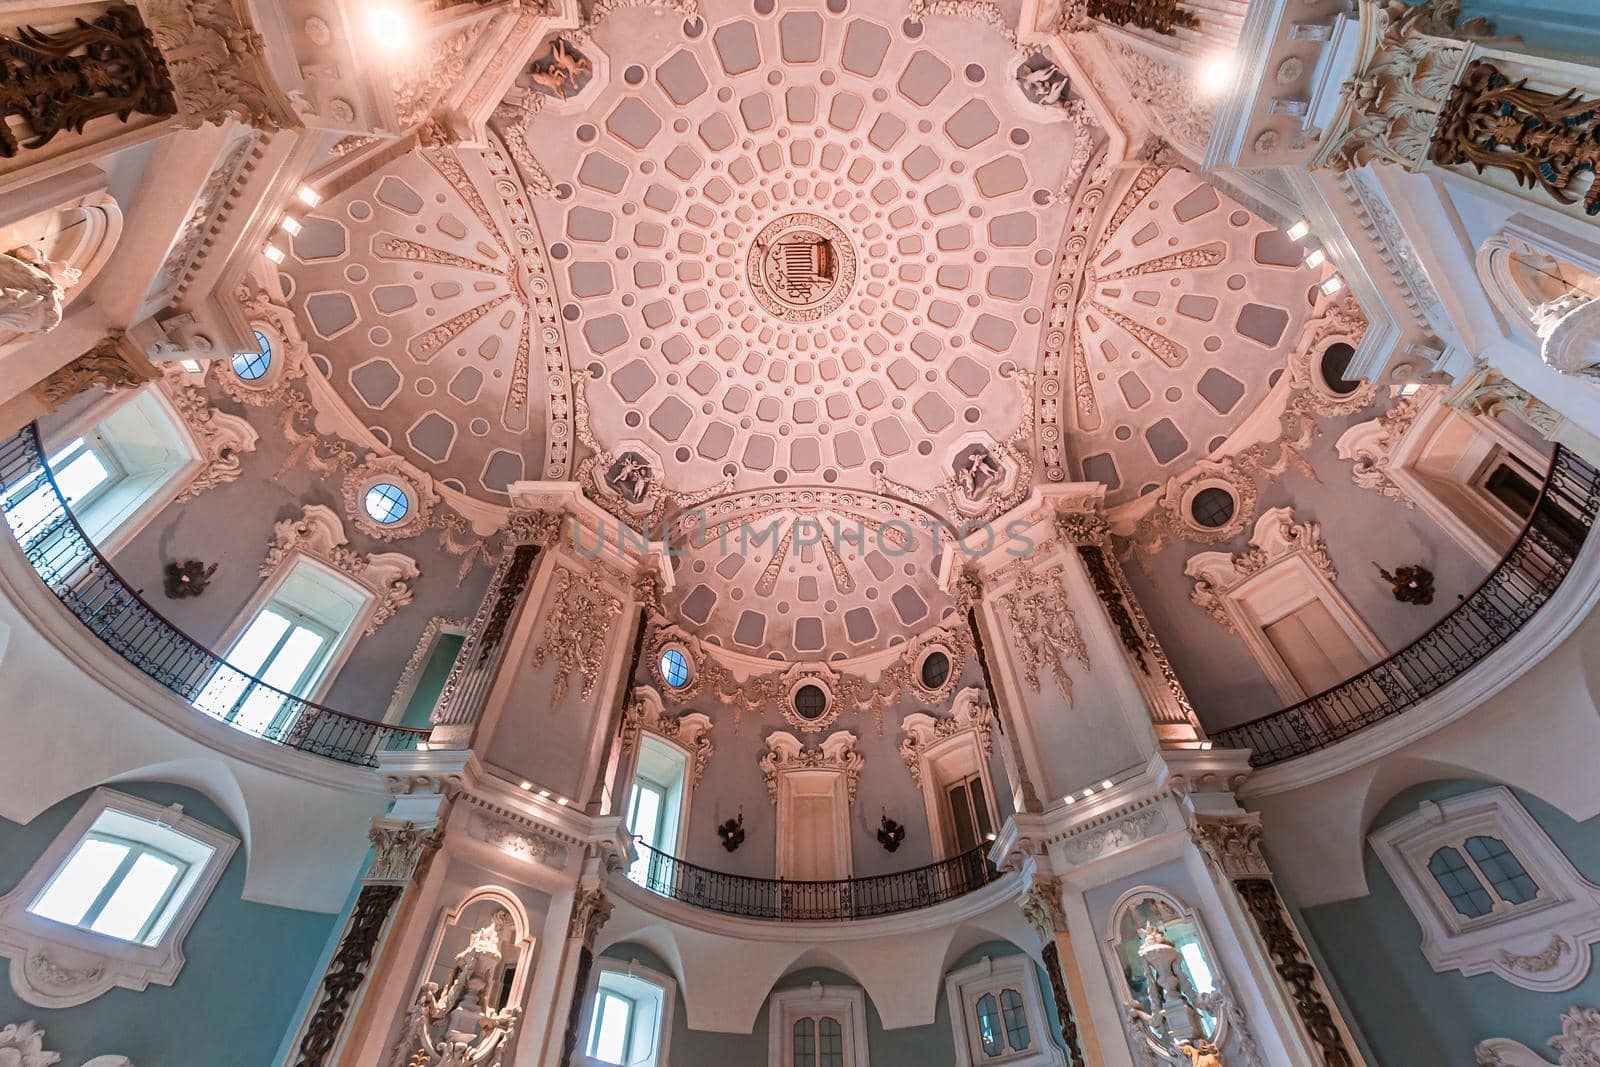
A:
[58,965]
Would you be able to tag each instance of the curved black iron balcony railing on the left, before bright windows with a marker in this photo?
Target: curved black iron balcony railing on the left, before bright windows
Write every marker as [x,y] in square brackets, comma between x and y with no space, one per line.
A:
[84,581]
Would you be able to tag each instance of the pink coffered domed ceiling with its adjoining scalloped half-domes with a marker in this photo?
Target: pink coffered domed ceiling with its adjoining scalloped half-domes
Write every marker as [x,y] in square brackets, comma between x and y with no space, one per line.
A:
[822,270]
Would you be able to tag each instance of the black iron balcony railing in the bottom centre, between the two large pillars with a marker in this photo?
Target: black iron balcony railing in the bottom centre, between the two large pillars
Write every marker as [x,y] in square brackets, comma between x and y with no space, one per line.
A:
[814,901]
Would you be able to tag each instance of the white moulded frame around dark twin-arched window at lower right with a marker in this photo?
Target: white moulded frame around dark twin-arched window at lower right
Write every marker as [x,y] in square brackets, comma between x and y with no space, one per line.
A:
[1543,945]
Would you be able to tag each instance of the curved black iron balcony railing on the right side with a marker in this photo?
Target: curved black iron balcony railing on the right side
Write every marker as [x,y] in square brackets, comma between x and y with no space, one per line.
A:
[1482,623]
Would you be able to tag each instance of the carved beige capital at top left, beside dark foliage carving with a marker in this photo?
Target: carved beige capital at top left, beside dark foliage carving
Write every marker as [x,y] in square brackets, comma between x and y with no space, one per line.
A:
[217,65]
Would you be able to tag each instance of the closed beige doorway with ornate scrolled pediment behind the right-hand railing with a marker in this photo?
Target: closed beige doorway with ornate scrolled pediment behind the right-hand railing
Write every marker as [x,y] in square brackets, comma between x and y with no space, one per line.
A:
[1281,599]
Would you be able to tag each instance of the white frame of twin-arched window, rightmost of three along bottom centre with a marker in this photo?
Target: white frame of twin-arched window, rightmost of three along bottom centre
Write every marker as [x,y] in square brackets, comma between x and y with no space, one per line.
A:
[991,977]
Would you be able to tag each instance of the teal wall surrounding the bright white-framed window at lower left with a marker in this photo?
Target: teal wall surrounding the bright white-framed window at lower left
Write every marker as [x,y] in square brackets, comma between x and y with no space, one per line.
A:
[247,965]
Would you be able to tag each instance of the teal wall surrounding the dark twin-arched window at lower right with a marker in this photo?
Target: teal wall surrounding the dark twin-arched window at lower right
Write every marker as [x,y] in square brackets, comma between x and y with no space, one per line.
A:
[1414,1017]
